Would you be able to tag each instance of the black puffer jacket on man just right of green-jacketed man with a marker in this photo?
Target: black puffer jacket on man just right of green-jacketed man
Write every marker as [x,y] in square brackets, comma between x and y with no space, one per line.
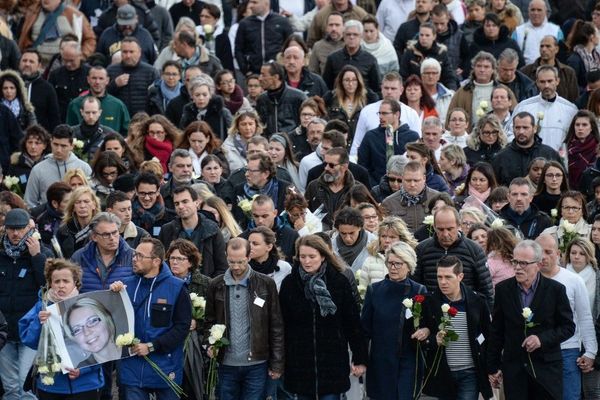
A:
[133,94]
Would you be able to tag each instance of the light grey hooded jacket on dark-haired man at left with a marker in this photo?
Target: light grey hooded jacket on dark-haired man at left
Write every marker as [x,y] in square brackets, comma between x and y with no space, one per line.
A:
[48,171]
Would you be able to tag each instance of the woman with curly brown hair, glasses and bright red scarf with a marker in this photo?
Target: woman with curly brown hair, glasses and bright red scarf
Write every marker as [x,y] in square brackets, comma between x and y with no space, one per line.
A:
[157,137]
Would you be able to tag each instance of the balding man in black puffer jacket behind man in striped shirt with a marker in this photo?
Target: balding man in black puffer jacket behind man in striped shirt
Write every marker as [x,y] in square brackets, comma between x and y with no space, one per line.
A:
[449,241]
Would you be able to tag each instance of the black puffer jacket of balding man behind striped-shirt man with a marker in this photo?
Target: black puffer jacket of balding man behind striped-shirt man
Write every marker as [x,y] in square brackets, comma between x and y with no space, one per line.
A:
[477,274]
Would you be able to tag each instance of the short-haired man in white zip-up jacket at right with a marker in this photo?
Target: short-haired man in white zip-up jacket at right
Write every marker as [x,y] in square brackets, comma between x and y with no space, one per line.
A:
[556,112]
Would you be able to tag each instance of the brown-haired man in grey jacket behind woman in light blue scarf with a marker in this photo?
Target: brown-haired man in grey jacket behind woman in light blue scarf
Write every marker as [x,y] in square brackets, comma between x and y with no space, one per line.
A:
[190,53]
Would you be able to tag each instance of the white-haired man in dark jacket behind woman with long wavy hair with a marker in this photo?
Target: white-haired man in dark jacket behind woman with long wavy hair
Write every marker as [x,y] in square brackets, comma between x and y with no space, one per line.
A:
[352,54]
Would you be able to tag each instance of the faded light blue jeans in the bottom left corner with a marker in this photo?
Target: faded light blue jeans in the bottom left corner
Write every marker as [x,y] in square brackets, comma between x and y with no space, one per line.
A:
[15,361]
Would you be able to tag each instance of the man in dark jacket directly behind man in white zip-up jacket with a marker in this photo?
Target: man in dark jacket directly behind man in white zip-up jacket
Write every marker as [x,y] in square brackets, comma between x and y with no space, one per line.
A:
[567,83]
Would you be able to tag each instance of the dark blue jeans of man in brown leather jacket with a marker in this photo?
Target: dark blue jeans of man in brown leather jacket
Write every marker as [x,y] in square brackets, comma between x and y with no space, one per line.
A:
[242,383]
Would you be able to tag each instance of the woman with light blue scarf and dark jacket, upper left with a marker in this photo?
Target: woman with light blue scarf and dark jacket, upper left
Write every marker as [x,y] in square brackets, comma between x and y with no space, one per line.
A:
[165,89]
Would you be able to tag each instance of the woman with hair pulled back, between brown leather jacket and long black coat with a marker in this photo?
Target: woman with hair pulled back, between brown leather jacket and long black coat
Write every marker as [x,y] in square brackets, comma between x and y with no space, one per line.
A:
[265,257]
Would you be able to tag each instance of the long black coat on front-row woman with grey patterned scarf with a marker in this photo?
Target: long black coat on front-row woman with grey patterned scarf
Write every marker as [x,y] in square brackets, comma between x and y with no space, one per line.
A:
[316,347]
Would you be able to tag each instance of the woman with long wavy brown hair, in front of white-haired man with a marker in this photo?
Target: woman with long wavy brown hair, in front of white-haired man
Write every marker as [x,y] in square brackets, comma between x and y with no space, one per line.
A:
[348,97]
